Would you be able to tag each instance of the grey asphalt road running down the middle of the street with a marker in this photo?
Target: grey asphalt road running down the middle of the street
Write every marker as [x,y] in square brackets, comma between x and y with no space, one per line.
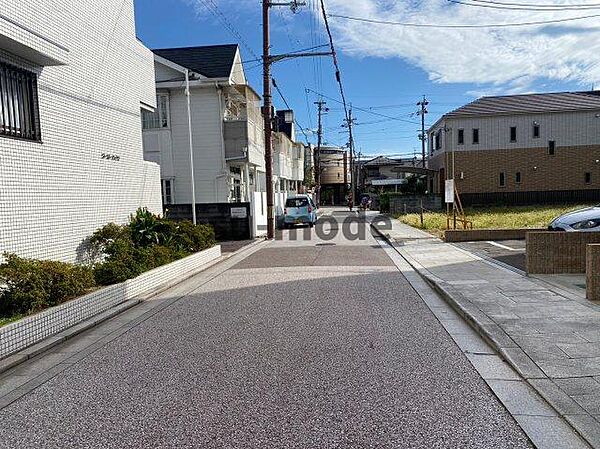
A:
[316,343]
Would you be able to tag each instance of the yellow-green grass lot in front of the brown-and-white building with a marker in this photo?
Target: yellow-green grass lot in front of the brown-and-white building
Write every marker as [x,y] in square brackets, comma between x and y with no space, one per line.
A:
[504,217]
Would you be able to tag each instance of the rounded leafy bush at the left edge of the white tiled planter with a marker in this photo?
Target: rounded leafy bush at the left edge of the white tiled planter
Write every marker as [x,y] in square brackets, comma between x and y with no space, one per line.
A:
[32,285]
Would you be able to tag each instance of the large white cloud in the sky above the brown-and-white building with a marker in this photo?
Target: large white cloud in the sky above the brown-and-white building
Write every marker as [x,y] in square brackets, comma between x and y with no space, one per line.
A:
[503,60]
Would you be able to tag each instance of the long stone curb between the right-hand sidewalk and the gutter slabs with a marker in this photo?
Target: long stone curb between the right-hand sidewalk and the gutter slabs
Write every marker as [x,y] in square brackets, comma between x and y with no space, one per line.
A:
[509,351]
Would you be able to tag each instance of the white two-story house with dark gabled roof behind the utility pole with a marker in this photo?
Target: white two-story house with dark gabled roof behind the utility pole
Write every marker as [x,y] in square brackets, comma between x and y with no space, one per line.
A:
[217,126]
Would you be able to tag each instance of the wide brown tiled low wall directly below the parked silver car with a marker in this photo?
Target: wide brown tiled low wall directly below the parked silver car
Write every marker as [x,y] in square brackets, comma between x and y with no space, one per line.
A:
[558,252]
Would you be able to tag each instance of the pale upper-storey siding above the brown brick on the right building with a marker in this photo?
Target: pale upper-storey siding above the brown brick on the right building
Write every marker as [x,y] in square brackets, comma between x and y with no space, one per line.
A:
[567,129]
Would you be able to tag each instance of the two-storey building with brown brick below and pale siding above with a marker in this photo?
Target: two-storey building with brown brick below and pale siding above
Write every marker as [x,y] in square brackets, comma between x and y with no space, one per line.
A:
[521,148]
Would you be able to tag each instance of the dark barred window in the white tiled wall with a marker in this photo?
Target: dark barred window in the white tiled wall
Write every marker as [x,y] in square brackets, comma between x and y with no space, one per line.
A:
[19,112]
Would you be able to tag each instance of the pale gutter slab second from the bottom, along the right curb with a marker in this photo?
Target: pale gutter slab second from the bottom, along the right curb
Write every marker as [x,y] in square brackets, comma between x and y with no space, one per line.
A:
[519,398]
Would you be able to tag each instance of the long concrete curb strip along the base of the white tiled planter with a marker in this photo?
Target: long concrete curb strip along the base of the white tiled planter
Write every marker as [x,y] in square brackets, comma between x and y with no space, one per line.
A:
[43,346]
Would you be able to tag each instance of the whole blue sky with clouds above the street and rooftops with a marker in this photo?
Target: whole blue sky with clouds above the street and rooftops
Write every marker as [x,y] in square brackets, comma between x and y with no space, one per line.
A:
[386,68]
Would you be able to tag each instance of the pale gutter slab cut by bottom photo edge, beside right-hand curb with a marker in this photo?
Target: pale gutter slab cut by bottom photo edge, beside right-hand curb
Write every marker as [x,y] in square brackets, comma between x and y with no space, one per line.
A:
[550,432]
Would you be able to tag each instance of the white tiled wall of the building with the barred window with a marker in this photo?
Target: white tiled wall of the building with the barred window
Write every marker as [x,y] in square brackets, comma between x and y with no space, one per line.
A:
[56,193]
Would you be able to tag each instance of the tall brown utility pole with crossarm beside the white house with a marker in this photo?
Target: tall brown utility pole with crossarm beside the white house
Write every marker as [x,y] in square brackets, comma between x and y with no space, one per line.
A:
[268,60]
